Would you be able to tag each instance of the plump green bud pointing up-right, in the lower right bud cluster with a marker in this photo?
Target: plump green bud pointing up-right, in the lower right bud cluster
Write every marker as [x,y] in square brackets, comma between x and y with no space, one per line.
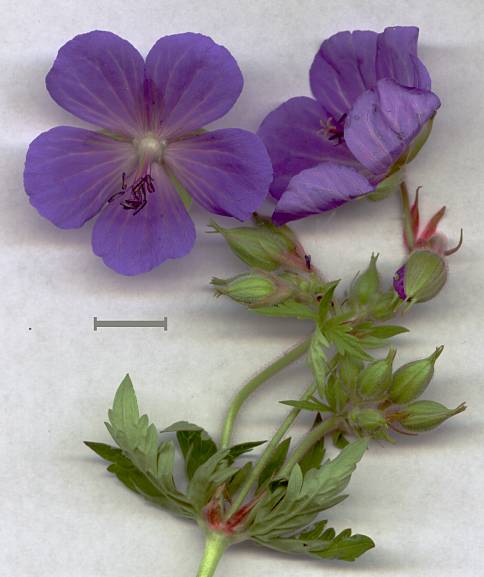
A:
[411,380]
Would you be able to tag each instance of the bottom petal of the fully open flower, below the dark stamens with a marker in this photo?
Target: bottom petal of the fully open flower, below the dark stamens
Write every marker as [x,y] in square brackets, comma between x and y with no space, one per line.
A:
[132,243]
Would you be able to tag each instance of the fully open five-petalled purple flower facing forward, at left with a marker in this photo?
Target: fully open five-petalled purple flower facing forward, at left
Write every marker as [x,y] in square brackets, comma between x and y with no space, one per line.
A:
[150,151]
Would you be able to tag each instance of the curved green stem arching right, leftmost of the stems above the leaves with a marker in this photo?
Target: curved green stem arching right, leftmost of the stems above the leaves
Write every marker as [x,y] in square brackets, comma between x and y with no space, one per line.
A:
[281,363]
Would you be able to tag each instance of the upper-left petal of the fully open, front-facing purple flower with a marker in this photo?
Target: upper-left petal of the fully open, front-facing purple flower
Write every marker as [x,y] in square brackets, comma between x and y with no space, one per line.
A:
[99,77]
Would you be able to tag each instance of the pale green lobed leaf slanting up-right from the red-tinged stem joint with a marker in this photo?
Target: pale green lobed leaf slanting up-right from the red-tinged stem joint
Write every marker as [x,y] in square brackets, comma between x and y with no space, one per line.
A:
[293,508]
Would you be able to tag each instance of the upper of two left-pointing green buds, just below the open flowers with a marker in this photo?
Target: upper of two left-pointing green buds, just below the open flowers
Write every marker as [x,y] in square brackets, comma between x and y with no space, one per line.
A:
[264,247]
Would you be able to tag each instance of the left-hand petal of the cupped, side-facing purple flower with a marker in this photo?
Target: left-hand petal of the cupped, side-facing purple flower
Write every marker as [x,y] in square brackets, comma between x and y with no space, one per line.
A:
[294,136]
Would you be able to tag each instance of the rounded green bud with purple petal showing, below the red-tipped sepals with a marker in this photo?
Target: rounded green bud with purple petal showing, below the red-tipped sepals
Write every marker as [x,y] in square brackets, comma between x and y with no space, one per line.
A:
[421,277]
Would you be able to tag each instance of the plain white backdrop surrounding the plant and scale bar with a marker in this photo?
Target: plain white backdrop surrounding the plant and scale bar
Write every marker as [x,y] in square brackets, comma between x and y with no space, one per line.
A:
[61,513]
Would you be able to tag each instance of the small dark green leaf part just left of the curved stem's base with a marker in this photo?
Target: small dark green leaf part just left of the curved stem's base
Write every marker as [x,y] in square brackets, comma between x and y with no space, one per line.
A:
[195,444]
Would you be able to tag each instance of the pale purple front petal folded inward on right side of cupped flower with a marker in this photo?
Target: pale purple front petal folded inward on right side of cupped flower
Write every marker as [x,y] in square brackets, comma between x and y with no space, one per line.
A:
[384,121]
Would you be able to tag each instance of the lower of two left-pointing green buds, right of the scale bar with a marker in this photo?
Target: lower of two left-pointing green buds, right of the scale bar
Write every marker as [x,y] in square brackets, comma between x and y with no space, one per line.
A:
[255,289]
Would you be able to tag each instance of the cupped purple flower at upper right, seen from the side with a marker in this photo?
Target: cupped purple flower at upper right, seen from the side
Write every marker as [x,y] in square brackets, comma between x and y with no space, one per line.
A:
[372,99]
